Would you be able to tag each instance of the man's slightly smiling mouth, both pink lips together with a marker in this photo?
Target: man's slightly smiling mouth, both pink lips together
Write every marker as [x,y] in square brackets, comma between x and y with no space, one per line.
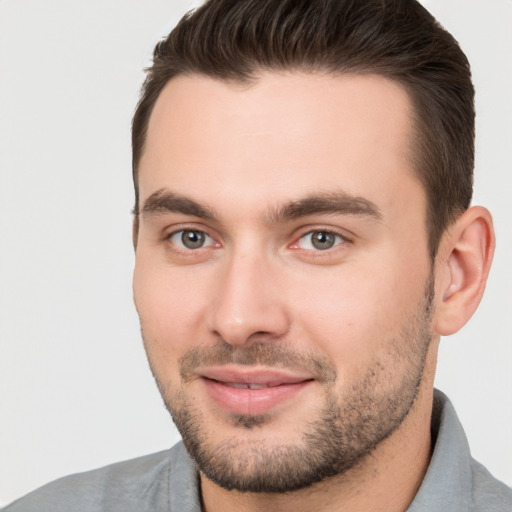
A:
[252,391]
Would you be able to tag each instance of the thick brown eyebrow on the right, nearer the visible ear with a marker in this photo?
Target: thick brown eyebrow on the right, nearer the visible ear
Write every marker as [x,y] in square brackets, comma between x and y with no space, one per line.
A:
[326,203]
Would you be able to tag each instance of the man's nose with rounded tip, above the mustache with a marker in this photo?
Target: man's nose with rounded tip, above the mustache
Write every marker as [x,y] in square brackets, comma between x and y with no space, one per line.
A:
[249,302]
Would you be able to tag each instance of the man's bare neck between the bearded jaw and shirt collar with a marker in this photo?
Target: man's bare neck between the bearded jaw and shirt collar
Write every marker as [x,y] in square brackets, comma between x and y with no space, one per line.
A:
[386,480]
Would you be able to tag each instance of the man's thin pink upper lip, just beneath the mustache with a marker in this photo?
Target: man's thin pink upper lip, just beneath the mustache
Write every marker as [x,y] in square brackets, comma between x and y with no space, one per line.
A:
[253,375]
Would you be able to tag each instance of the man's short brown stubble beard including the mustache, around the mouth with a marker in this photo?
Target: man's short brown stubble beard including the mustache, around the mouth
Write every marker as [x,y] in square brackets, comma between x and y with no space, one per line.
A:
[347,429]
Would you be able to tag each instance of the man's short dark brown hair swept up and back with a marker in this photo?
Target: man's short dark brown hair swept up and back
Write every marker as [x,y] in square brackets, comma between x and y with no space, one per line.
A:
[233,40]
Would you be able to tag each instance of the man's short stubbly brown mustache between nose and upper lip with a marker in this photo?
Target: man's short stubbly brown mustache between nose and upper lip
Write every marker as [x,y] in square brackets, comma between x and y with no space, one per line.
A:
[268,354]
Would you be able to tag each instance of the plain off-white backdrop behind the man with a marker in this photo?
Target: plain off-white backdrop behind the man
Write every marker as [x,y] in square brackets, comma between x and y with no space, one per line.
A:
[76,391]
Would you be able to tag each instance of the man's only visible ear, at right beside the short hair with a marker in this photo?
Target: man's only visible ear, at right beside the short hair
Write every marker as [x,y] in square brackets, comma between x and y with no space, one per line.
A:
[463,263]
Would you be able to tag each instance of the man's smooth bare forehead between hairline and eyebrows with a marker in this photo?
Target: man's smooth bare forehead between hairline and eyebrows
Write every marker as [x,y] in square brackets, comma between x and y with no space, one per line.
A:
[280,137]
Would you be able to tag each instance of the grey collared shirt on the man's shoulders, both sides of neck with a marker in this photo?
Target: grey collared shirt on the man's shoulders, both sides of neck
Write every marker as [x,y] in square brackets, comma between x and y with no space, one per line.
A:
[168,481]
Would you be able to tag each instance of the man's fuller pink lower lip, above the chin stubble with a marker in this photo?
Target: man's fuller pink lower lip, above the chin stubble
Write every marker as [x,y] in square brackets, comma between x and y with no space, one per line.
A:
[252,401]
